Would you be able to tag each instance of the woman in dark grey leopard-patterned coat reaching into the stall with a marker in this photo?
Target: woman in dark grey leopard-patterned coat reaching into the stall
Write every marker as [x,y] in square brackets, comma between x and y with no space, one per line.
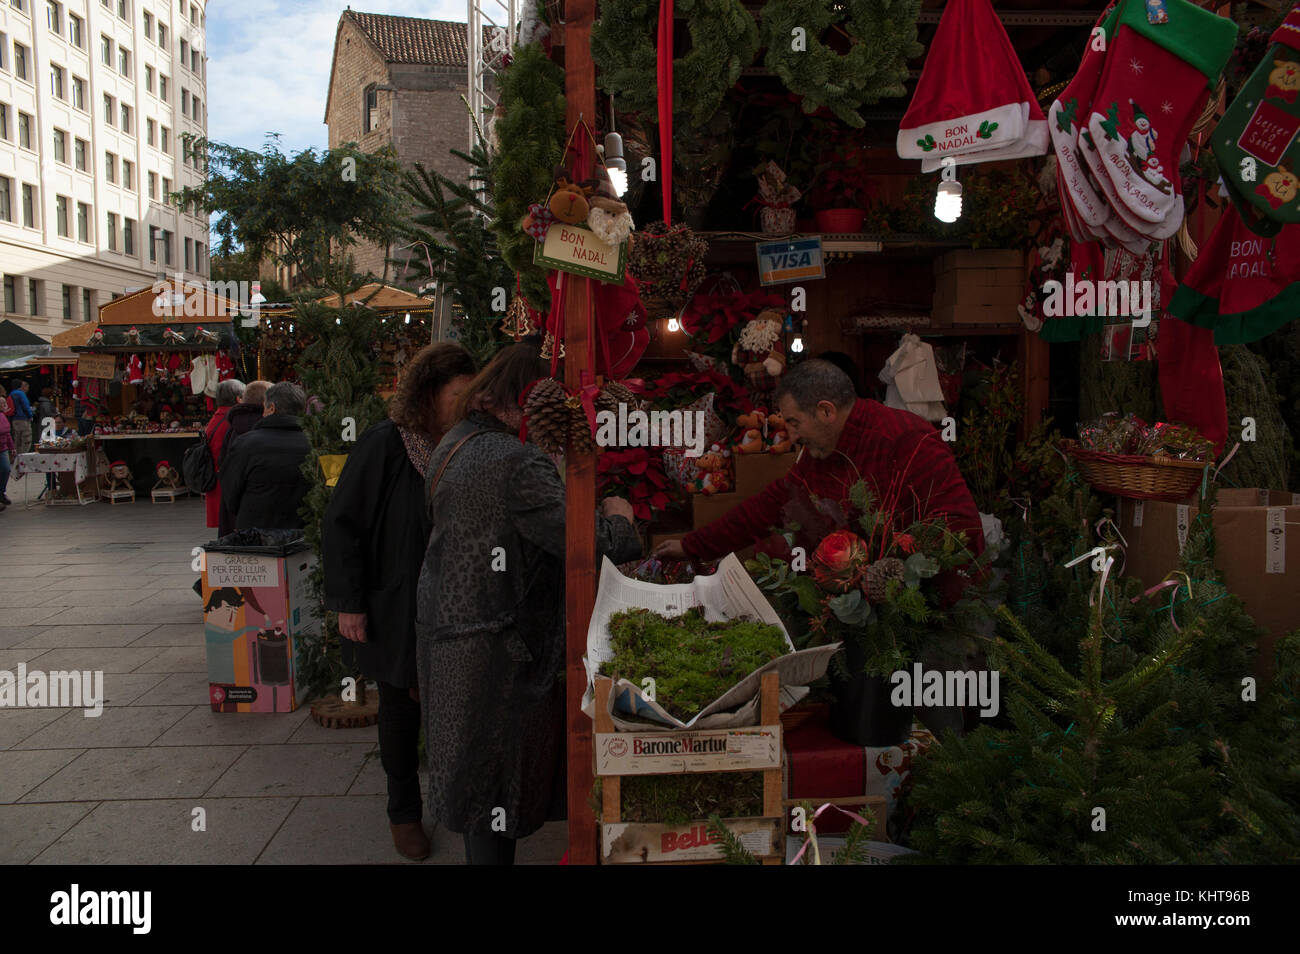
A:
[492,617]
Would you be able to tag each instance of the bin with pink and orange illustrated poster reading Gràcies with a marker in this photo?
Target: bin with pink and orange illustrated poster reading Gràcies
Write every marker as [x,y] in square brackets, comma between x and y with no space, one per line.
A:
[254,609]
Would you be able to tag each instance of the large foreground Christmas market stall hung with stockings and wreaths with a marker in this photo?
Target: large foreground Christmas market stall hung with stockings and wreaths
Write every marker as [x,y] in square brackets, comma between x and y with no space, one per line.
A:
[938,253]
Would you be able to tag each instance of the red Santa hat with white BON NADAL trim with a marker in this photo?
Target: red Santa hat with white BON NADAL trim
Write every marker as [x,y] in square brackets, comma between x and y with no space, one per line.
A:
[973,101]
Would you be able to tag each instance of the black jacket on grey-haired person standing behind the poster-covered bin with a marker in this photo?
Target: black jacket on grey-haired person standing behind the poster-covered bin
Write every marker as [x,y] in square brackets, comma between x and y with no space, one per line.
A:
[263,483]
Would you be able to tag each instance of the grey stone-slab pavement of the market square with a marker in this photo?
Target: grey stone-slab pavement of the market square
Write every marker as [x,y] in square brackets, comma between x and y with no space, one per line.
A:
[110,588]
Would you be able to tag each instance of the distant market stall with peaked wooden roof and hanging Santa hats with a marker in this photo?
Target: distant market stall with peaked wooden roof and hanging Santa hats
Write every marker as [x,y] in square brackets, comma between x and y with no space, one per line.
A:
[148,375]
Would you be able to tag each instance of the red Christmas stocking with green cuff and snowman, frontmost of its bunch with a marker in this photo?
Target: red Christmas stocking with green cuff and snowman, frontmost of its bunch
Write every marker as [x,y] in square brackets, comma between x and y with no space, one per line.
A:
[1155,85]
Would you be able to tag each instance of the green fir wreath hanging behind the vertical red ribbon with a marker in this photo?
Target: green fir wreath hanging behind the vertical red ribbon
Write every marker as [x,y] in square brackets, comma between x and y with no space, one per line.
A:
[723,42]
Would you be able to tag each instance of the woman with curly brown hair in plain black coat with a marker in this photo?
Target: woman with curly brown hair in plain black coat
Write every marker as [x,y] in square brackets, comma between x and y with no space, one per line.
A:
[374,539]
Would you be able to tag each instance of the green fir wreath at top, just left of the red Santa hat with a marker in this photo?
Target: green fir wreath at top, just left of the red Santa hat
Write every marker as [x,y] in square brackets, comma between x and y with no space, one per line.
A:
[882,36]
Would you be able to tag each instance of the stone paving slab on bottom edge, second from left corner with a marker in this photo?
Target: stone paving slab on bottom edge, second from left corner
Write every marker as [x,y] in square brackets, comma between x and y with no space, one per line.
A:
[162,832]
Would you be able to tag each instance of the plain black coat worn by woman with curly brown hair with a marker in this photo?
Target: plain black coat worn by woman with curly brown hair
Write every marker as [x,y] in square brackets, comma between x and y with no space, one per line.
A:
[372,540]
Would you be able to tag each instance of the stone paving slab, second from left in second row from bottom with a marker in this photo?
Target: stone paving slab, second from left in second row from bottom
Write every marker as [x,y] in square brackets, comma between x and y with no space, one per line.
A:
[145,773]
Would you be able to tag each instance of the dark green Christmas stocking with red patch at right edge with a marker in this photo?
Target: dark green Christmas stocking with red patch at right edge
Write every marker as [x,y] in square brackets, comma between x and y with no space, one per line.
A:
[1256,142]
